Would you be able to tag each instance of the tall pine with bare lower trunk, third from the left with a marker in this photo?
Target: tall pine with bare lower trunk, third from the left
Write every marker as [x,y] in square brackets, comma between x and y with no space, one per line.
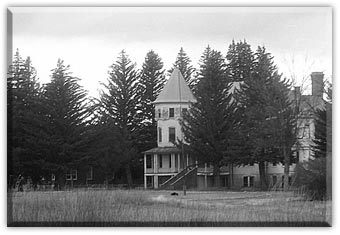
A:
[121,102]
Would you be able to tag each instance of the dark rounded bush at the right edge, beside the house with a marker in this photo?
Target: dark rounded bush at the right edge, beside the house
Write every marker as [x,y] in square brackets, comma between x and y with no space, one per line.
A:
[311,177]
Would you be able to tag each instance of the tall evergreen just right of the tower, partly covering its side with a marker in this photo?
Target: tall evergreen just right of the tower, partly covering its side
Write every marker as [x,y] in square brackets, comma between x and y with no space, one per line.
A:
[208,127]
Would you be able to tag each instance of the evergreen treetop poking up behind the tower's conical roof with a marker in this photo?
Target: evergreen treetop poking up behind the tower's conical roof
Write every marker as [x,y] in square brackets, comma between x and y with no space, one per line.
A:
[183,64]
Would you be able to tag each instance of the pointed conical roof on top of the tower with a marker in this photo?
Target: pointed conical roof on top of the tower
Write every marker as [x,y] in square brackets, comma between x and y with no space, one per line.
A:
[175,90]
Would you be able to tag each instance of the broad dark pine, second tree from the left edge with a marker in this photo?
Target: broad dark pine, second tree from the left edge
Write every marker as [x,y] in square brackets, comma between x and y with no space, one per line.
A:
[65,143]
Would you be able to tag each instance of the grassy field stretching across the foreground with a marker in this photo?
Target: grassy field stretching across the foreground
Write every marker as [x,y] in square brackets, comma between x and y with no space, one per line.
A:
[152,208]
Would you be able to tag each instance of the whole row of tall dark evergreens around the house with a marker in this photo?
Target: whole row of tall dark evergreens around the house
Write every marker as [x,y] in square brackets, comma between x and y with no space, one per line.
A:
[55,127]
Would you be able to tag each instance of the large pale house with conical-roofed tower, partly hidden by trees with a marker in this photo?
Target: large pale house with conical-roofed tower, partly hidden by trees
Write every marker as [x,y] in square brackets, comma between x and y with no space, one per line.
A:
[166,166]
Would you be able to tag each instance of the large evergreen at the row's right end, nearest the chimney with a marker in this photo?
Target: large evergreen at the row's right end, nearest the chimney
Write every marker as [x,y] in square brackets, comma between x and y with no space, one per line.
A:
[264,102]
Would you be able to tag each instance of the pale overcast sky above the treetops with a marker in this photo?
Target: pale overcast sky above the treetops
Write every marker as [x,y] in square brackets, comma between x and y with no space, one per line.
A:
[89,39]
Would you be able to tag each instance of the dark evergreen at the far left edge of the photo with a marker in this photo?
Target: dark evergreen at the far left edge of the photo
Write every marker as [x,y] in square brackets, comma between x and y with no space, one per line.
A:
[23,93]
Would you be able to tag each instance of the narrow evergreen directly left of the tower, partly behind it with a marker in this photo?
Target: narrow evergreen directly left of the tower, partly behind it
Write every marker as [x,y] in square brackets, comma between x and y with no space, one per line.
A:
[151,82]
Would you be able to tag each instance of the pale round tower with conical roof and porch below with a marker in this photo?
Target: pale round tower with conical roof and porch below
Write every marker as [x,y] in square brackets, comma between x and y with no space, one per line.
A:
[165,161]
